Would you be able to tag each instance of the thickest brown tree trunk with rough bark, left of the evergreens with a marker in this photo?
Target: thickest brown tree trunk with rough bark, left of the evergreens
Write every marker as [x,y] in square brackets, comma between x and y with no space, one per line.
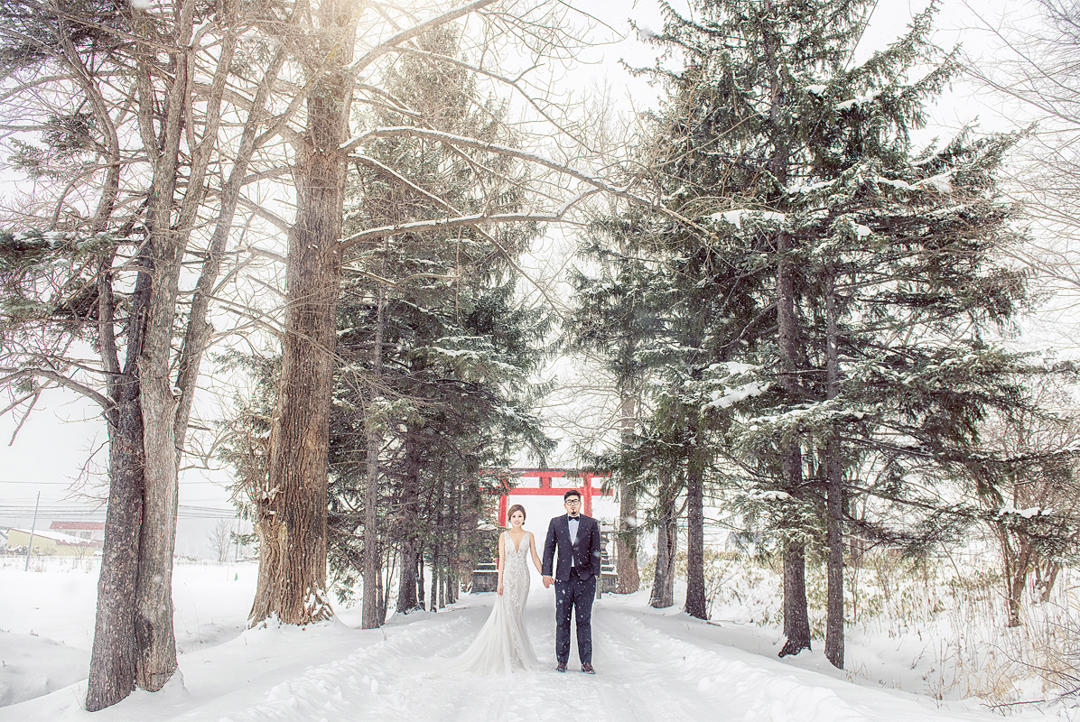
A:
[293,557]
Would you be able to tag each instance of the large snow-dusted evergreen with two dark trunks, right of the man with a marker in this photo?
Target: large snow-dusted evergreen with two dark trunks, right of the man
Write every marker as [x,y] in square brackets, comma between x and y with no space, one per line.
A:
[883,260]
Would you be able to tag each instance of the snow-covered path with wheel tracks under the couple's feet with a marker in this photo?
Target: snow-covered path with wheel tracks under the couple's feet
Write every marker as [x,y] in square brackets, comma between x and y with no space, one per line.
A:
[651,667]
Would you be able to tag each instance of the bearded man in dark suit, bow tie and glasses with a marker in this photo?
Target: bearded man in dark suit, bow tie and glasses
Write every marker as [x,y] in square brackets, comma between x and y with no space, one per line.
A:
[578,541]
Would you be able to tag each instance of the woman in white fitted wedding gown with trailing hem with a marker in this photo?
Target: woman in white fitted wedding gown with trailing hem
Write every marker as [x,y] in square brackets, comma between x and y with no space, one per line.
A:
[503,644]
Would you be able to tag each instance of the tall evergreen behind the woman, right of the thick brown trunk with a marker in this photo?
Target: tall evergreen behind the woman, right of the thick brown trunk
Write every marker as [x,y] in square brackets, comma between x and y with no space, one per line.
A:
[450,393]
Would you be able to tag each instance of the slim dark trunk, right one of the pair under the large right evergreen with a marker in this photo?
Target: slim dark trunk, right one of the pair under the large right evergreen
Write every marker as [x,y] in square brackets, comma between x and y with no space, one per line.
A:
[835,502]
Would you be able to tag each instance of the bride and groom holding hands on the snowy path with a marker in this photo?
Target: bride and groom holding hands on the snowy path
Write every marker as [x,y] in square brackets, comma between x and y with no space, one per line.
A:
[572,562]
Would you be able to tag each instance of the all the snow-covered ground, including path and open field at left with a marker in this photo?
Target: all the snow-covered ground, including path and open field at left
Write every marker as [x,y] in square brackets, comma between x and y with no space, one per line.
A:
[653,665]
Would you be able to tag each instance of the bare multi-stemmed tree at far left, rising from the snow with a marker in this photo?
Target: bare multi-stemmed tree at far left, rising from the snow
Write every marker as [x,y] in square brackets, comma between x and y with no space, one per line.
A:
[140,179]
